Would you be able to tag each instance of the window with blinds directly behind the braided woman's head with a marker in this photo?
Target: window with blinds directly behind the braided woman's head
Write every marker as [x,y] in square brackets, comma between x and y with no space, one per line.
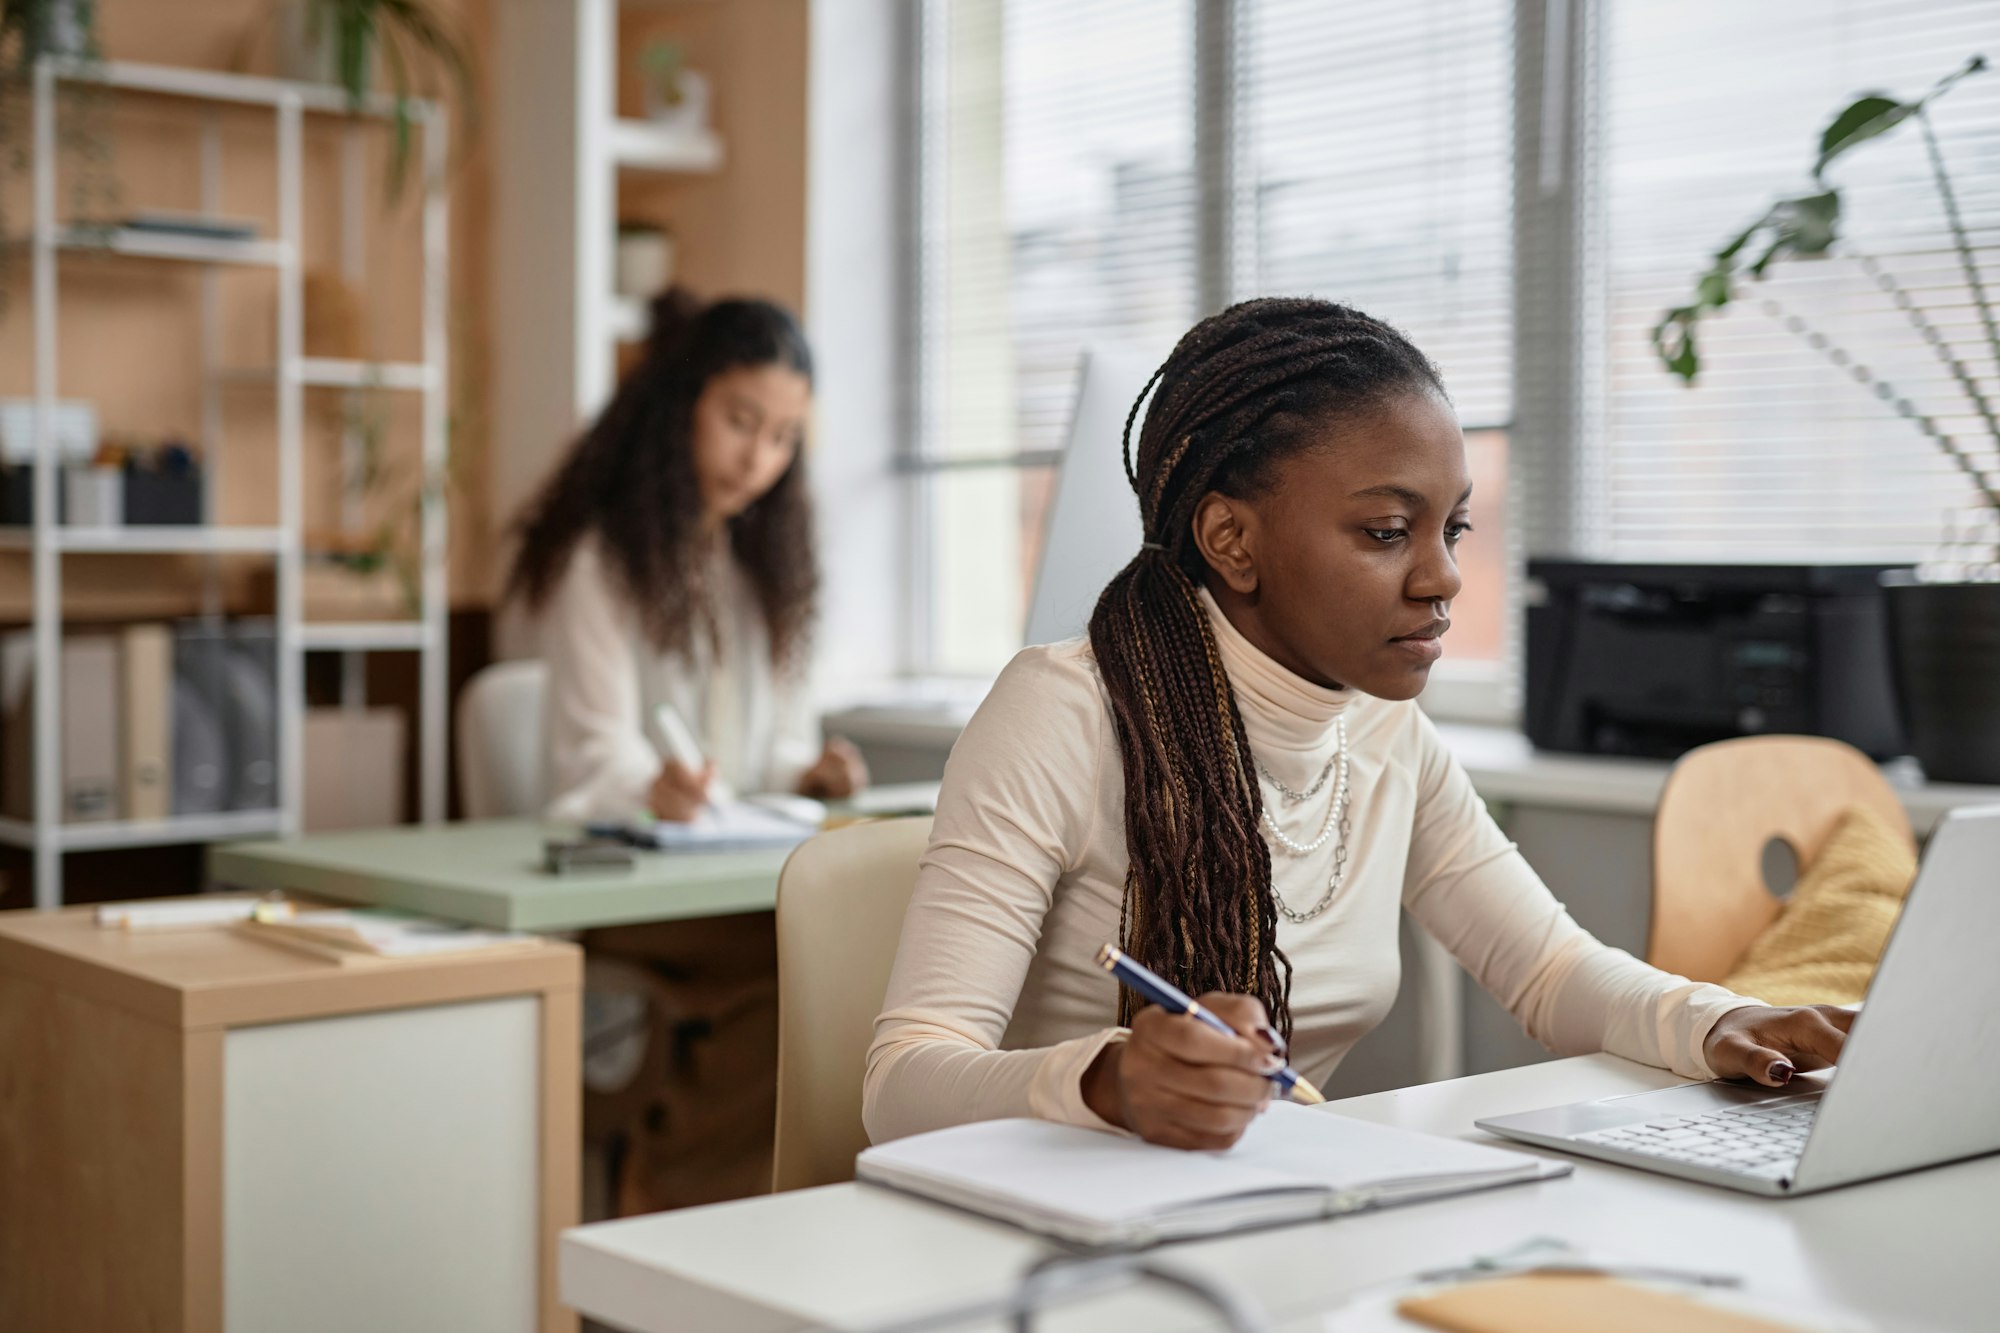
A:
[1063,189]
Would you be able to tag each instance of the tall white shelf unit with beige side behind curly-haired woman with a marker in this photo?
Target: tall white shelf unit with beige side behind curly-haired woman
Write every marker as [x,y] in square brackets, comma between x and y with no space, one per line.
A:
[561,151]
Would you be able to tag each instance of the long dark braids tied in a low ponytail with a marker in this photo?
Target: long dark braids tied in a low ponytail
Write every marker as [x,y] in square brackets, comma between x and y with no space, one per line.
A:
[1243,389]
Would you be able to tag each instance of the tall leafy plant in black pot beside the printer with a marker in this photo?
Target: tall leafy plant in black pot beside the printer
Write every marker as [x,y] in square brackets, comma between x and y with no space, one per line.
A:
[1945,617]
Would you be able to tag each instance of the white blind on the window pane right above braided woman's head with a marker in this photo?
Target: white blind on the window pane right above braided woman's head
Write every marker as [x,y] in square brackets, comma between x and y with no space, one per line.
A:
[1375,167]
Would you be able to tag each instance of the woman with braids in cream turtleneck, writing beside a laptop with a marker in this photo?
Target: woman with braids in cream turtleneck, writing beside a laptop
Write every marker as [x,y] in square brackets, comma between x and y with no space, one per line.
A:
[1233,782]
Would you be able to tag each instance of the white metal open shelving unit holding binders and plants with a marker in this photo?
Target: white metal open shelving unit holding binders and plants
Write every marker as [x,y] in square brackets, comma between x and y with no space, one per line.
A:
[289,379]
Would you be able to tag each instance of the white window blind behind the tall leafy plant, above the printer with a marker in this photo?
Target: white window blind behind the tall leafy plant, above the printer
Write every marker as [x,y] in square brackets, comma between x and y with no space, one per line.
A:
[1707,111]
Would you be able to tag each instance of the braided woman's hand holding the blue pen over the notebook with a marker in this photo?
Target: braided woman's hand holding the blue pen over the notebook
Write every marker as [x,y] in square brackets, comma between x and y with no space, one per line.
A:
[1181,1084]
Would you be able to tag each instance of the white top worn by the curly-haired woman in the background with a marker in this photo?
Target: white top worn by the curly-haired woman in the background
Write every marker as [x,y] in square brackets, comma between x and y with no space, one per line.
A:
[605,682]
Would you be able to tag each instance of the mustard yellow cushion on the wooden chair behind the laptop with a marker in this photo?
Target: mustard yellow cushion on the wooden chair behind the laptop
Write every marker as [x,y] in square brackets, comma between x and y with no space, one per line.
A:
[1825,944]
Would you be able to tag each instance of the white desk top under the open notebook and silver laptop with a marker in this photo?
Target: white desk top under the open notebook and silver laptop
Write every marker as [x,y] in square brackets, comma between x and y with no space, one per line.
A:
[1913,1252]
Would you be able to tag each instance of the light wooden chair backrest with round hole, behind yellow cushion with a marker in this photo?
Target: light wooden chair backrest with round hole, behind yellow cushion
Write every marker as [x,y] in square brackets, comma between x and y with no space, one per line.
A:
[1723,804]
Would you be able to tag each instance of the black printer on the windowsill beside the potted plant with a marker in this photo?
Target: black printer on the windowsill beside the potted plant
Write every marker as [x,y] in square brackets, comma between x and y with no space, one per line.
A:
[1655,659]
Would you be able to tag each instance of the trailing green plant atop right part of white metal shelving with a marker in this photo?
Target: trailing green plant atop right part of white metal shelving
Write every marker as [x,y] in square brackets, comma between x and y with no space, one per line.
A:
[411,41]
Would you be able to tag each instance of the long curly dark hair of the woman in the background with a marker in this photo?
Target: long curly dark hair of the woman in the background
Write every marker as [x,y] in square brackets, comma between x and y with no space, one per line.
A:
[631,481]
